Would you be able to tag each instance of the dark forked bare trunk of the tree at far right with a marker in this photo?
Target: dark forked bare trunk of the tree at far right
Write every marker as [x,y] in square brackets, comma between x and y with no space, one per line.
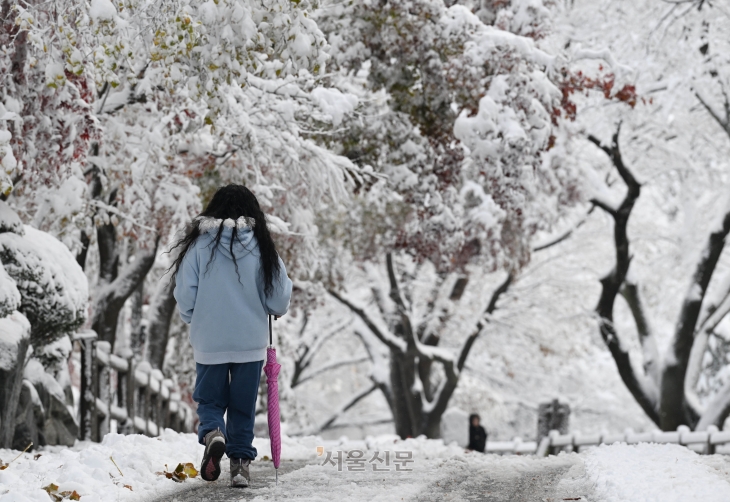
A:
[659,390]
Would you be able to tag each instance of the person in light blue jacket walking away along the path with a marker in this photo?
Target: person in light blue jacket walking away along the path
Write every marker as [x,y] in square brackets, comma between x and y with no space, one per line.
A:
[228,280]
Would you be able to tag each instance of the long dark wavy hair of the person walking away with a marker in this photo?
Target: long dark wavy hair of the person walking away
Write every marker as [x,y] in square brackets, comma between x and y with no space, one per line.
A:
[233,201]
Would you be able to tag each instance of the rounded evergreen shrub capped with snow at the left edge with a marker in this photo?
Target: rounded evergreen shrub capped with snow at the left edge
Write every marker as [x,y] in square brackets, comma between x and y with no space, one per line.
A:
[52,286]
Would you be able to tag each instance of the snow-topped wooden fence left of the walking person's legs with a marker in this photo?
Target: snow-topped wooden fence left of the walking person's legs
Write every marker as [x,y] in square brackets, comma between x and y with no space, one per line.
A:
[138,398]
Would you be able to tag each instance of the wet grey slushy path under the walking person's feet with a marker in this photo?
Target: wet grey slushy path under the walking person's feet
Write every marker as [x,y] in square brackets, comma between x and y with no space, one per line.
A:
[301,480]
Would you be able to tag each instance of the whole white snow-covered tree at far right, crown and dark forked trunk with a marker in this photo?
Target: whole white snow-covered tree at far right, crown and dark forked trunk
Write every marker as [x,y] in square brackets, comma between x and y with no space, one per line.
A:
[668,209]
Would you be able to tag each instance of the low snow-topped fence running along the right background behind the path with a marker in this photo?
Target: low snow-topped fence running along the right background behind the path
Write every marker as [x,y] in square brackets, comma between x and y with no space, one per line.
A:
[708,442]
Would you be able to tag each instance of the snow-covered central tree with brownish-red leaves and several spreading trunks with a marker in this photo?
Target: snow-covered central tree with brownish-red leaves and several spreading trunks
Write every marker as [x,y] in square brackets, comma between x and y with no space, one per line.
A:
[462,118]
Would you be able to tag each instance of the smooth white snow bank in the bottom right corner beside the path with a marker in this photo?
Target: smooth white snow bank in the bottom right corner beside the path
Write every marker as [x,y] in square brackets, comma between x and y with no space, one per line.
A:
[656,473]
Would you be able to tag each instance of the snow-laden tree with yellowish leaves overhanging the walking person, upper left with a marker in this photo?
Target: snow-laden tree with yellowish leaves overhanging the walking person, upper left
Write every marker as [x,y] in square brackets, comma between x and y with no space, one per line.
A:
[170,99]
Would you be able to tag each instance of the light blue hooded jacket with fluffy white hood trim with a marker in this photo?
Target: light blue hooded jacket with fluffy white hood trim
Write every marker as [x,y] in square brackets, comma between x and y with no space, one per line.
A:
[227,317]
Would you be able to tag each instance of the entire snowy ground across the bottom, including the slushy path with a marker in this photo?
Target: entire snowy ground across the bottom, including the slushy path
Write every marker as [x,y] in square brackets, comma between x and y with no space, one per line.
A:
[643,473]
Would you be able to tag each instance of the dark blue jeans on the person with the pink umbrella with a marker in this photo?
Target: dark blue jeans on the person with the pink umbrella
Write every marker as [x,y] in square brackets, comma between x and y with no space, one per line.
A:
[231,387]
